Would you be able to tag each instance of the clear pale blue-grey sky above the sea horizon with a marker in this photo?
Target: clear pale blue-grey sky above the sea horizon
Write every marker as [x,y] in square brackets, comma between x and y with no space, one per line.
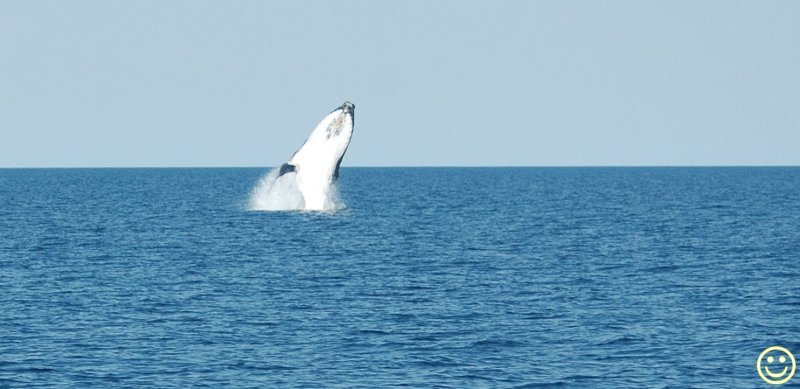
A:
[436,83]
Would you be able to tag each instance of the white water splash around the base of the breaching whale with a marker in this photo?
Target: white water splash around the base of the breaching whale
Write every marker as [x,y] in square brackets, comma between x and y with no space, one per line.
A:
[273,193]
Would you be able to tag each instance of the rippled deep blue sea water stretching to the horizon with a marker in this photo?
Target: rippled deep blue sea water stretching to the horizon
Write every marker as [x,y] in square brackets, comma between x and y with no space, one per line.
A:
[431,277]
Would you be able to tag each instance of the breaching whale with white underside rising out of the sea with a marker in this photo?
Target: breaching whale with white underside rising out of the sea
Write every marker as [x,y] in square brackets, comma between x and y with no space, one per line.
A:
[314,167]
